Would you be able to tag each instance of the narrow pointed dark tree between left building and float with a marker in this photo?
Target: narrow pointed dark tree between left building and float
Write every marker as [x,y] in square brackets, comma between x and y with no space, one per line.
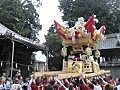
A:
[54,45]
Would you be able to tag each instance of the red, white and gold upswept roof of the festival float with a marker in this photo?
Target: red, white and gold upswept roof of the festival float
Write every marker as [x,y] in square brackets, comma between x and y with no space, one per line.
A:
[83,33]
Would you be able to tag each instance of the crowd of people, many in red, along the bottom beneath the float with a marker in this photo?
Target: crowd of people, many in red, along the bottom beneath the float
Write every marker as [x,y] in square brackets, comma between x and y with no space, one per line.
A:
[101,82]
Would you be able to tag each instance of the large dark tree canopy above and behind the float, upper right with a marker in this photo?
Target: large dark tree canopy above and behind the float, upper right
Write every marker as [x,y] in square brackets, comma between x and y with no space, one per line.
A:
[73,9]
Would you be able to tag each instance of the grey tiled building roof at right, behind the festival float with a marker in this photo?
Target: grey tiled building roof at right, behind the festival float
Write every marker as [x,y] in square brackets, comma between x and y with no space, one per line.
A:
[110,41]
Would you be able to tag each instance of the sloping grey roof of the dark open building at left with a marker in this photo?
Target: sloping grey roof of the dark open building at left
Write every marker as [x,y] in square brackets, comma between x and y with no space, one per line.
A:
[7,33]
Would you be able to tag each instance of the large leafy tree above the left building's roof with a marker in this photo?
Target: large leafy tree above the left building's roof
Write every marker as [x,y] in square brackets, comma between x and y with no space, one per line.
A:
[20,16]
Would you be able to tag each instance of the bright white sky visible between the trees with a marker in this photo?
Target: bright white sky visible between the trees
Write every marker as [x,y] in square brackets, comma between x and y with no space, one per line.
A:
[48,12]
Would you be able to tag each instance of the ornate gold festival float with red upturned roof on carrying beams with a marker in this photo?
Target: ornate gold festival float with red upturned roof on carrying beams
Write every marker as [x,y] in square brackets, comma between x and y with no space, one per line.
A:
[80,55]
